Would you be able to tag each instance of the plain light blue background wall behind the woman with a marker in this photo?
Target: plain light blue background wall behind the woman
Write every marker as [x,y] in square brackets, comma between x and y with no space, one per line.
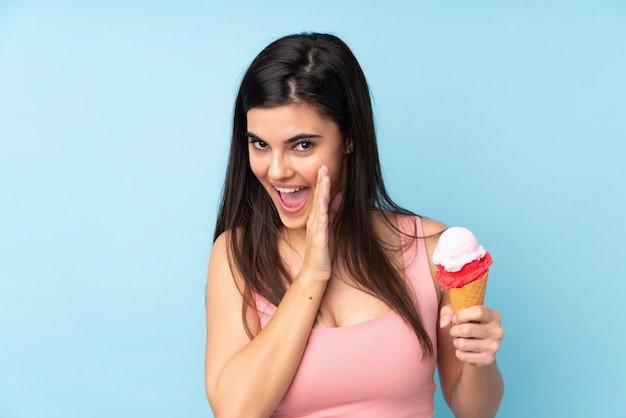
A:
[506,117]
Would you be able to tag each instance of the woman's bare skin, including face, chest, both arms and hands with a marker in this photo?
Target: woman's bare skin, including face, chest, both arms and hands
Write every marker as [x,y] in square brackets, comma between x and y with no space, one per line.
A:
[250,377]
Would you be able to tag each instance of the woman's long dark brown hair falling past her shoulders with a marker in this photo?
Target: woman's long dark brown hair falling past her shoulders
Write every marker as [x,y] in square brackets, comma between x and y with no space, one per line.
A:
[320,70]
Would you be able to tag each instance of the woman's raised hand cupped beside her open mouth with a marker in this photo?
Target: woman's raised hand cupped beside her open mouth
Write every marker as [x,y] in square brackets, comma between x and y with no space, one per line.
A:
[319,237]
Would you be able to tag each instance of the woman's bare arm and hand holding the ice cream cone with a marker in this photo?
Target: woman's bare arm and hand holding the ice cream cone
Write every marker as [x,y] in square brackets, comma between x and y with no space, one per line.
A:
[473,335]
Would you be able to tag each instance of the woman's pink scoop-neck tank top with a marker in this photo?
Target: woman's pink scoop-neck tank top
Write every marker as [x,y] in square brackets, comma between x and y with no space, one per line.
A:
[371,369]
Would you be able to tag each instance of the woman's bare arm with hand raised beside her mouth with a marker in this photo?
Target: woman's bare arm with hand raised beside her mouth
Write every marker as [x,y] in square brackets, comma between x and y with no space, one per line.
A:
[248,378]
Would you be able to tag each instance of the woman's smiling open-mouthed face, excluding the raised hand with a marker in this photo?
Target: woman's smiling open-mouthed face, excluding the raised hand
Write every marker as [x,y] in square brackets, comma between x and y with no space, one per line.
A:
[287,145]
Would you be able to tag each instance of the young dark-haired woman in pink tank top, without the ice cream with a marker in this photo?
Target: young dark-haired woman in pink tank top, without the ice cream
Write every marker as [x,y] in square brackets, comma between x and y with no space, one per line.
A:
[320,294]
